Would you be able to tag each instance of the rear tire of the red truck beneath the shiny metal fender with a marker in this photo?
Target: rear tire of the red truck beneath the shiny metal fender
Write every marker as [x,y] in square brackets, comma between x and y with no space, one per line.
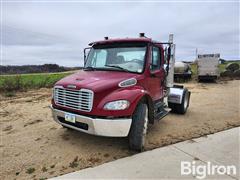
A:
[181,108]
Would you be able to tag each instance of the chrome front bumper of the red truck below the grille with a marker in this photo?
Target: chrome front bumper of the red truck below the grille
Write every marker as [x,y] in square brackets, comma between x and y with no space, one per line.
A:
[96,126]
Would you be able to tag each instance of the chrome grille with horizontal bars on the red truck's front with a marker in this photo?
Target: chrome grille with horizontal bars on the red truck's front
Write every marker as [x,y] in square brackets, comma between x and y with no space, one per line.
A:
[75,99]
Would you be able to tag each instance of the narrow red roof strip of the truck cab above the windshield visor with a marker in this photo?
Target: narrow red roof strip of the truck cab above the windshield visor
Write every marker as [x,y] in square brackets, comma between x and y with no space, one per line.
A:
[121,40]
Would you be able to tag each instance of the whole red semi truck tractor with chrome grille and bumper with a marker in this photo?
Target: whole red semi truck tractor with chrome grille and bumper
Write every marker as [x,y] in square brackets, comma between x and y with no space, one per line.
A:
[125,85]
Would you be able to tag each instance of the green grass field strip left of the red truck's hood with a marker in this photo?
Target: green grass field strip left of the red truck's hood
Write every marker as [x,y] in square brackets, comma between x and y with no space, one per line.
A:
[13,83]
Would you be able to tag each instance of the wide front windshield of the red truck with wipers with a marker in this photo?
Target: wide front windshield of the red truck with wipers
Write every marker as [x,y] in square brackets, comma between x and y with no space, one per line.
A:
[124,58]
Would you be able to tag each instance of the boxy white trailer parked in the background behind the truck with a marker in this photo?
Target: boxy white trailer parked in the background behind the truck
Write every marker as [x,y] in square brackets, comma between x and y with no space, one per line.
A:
[207,66]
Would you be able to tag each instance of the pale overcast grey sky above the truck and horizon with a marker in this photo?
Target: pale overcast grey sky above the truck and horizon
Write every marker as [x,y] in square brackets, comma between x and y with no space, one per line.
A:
[34,32]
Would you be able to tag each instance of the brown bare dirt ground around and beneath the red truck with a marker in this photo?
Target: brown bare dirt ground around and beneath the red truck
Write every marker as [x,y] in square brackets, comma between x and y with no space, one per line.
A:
[33,146]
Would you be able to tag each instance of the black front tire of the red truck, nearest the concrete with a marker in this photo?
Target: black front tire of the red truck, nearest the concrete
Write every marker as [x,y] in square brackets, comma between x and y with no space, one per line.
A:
[138,131]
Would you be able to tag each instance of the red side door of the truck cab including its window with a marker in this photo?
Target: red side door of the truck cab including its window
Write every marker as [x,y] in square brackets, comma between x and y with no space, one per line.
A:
[156,79]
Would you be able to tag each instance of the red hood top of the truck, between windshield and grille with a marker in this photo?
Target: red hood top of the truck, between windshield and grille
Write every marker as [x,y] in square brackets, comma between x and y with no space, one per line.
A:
[95,80]
